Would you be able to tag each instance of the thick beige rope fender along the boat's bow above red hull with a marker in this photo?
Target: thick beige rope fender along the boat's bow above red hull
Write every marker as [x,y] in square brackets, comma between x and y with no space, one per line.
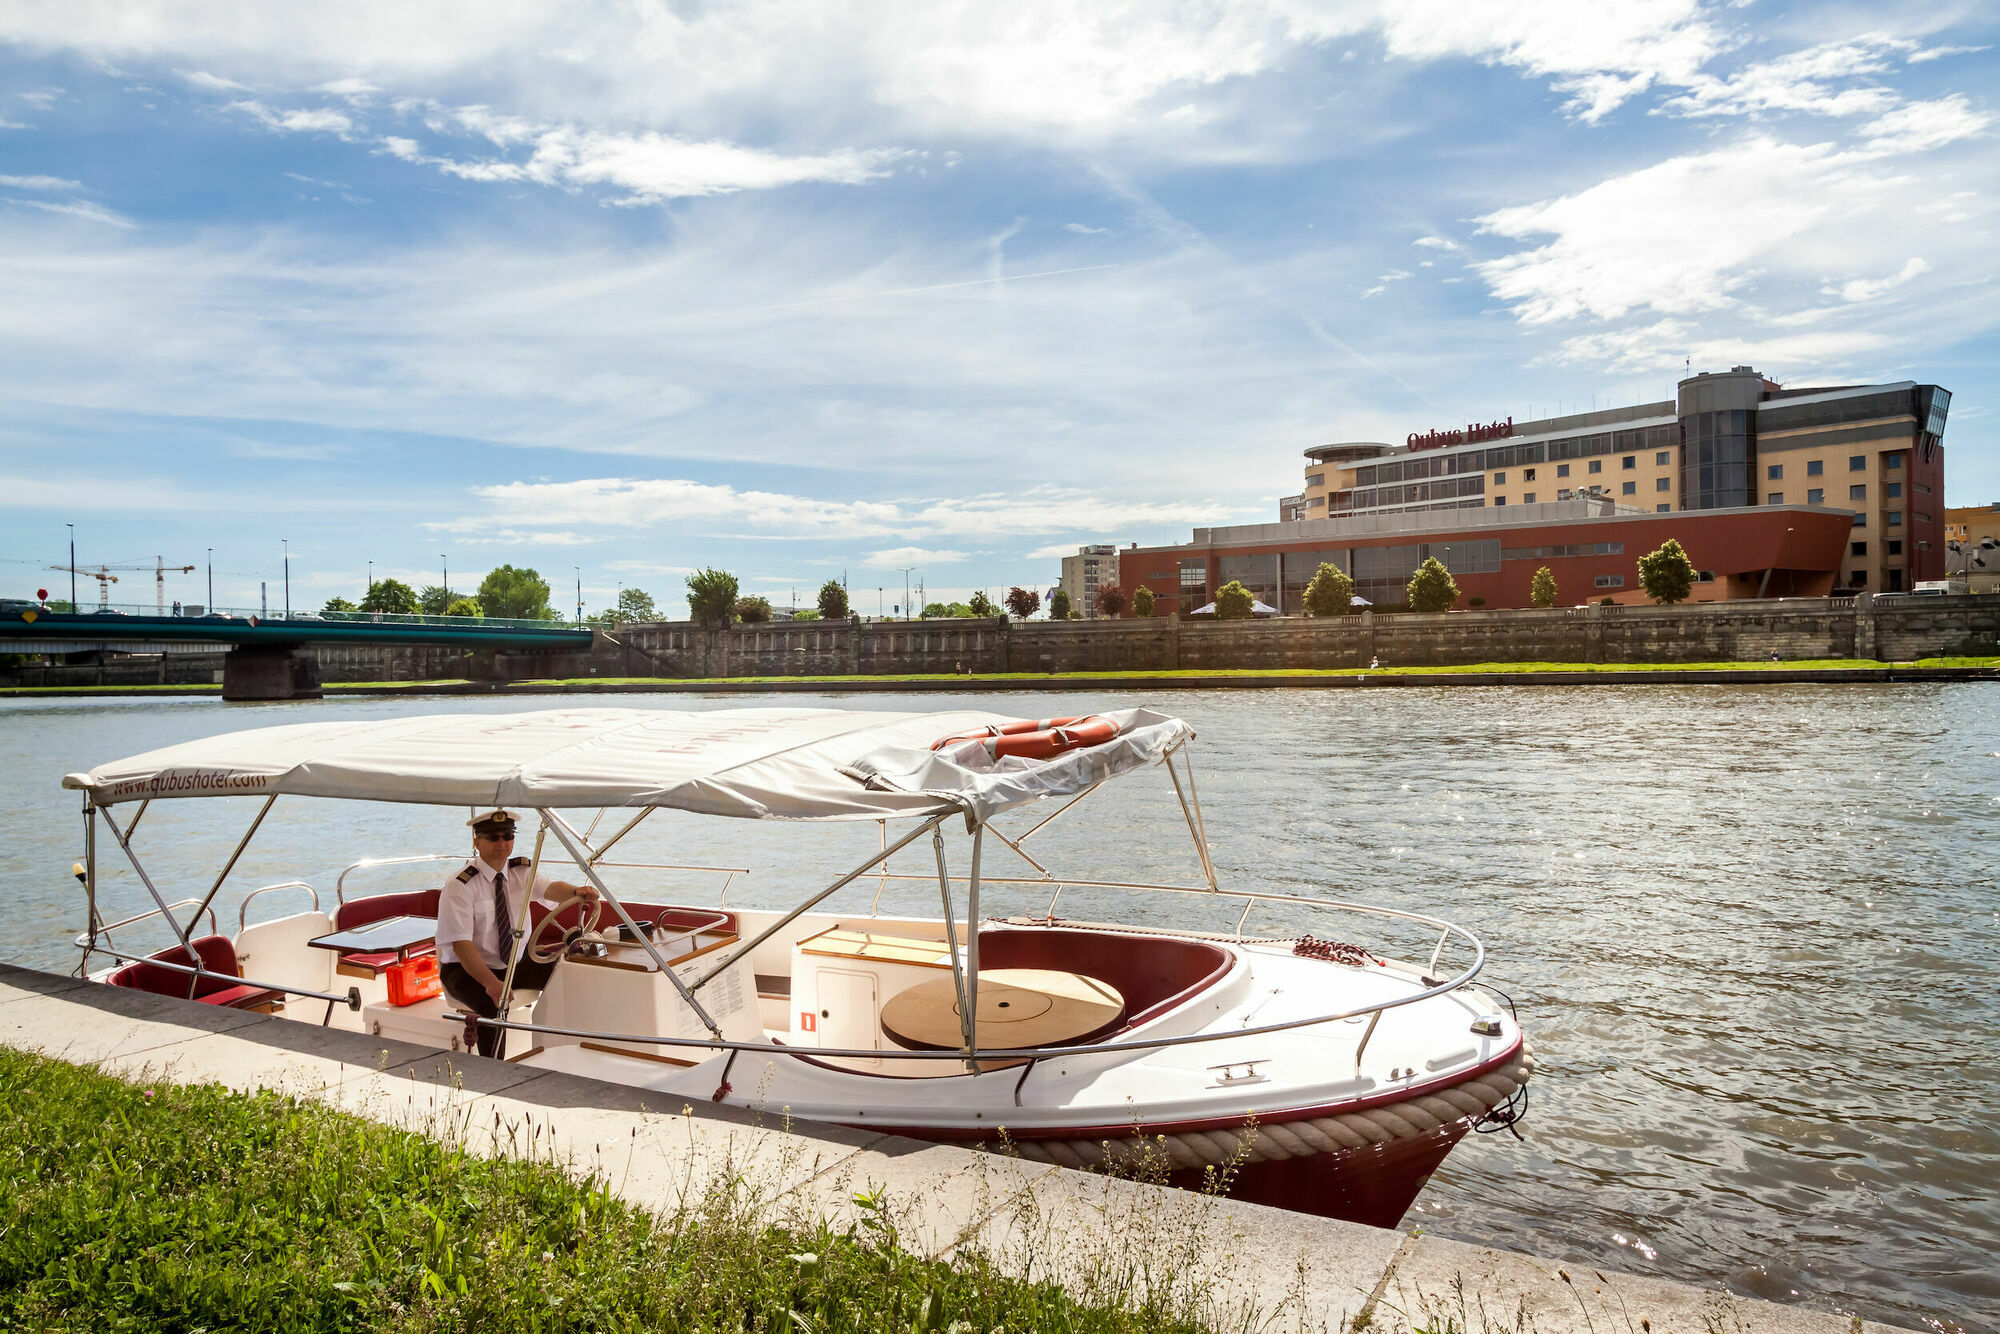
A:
[1301,1139]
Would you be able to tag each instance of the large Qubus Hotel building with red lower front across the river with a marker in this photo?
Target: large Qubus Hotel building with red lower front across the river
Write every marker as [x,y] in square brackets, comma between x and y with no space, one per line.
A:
[1773,493]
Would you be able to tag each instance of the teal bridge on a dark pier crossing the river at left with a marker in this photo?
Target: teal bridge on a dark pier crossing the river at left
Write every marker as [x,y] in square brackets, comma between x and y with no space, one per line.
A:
[269,657]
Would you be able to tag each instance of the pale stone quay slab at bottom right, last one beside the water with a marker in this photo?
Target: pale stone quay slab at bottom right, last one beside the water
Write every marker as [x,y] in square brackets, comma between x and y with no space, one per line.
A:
[1491,1291]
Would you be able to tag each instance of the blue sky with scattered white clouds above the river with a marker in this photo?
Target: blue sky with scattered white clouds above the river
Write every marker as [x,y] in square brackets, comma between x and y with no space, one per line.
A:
[847,291]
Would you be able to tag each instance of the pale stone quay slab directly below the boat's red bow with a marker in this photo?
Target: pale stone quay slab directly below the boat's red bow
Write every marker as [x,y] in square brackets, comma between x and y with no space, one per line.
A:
[1223,1261]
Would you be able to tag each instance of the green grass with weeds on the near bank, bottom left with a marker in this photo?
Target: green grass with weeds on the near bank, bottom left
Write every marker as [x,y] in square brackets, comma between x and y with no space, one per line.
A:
[189,1207]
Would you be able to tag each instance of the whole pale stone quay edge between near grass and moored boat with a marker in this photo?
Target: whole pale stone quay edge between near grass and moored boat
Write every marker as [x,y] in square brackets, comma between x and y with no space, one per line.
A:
[1037,1221]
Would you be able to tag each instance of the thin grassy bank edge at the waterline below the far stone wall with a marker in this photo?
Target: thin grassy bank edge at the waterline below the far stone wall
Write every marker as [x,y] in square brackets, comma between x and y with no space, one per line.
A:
[989,685]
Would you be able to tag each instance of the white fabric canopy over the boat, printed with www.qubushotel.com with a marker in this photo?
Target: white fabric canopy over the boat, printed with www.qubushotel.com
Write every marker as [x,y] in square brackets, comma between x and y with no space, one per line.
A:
[751,763]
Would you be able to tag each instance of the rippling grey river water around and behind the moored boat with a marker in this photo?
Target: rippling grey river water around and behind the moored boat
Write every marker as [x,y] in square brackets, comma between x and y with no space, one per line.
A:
[1753,931]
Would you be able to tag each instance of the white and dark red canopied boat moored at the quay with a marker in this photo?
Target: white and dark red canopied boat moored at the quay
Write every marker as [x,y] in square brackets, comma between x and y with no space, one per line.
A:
[1325,1073]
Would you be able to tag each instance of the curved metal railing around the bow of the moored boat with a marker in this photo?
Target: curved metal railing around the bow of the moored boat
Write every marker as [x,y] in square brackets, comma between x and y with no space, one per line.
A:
[1429,989]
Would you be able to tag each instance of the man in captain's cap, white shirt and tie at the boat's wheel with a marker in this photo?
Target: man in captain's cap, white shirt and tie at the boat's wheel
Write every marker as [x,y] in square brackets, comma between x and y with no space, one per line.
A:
[479,913]
